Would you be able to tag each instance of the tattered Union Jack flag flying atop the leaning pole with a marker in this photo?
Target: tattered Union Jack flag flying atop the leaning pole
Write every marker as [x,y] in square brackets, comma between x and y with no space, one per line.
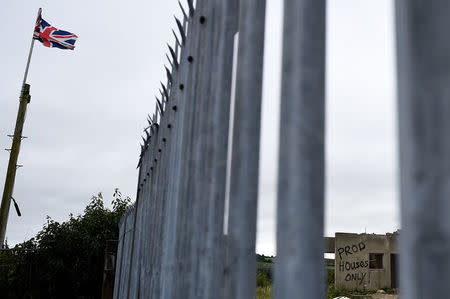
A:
[52,37]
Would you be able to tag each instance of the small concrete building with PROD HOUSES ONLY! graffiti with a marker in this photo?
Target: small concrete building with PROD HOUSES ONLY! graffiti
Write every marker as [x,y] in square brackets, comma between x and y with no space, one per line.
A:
[364,261]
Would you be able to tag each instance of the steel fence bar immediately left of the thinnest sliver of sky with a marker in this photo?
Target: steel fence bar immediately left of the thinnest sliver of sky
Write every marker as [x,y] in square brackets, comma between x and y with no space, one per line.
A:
[226,27]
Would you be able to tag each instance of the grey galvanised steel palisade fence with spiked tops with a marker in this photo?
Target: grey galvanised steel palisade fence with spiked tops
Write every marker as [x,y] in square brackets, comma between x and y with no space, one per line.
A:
[172,242]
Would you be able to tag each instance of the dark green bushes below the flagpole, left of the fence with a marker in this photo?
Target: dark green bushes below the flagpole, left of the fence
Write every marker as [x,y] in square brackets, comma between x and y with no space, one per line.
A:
[64,260]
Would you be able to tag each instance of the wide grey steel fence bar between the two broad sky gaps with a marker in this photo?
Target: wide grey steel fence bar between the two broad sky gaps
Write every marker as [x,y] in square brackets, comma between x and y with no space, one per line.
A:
[299,270]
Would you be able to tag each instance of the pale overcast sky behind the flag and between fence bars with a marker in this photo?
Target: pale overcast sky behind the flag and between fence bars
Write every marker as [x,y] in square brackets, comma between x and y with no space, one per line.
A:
[88,109]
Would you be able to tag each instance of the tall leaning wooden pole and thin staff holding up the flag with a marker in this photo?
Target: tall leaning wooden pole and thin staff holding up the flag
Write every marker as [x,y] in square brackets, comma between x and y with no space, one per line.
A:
[15,148]
